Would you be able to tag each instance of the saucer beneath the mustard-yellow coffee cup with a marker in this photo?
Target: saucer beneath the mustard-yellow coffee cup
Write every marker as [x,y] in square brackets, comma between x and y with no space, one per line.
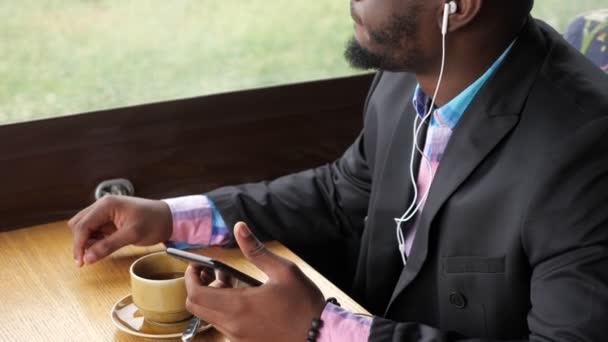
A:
[127,318]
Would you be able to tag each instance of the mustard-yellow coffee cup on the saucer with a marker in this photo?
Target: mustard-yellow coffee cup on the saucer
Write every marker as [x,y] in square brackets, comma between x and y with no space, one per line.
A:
[158,288]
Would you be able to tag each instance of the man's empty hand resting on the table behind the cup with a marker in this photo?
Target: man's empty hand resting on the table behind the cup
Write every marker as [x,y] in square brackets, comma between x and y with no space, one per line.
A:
[115,221]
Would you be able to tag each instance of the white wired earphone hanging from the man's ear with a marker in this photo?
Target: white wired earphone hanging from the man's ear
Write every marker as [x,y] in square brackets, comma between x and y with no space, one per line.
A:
[448,9]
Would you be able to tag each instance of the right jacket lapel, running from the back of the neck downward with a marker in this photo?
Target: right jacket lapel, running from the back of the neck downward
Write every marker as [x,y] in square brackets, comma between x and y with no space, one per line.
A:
[490,117]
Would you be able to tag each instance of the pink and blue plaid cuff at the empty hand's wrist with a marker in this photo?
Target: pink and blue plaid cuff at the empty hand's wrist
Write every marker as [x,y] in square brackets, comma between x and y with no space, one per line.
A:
[196,223]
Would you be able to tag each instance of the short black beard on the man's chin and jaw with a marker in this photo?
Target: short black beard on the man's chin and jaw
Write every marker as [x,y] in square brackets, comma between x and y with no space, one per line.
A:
[397,40]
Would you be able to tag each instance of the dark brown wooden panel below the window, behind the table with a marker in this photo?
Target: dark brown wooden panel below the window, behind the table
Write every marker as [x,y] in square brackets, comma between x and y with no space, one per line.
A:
[189,146]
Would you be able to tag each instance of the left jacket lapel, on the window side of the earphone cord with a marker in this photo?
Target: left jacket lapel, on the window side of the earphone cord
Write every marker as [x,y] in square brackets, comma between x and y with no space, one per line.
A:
[394,189]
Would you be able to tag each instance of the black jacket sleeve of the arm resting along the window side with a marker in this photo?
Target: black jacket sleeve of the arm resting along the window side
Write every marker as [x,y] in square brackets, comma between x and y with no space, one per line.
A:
[318,205]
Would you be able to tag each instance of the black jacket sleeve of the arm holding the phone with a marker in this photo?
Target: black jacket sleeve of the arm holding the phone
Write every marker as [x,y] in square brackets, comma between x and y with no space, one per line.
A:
[565,236]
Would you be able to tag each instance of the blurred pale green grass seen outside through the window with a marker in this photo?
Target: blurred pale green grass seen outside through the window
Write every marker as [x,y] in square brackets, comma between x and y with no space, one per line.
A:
[60,57]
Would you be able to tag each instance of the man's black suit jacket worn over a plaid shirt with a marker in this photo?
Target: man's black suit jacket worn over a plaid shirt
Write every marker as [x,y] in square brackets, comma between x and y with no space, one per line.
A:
[513,240]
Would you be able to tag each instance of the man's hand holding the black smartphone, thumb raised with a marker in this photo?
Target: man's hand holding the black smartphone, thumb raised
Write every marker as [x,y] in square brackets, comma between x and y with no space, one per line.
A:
[280,310]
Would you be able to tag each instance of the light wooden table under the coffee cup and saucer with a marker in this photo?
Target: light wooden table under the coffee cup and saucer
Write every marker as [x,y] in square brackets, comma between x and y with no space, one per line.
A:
[45,297]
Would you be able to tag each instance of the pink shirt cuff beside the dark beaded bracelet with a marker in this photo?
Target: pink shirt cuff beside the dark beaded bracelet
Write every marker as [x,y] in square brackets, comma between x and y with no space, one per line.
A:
[341,325]
